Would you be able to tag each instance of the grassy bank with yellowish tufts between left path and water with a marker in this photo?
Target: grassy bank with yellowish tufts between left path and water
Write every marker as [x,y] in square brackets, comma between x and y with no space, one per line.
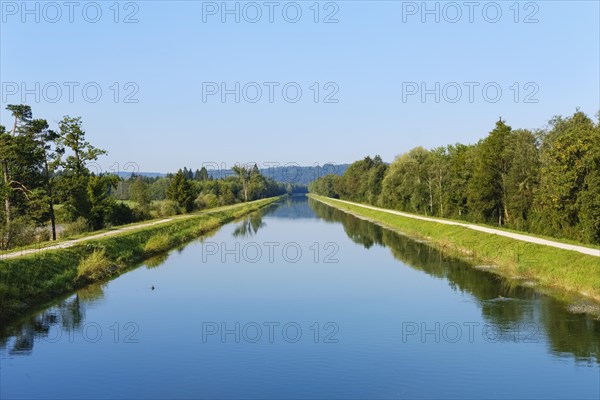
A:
[34,279]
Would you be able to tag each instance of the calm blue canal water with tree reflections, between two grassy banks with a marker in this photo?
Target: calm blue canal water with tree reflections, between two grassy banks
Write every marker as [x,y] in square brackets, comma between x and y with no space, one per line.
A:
[301,300]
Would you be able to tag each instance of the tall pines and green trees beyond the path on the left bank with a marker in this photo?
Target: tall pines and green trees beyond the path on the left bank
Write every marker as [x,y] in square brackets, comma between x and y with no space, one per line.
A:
[47,188]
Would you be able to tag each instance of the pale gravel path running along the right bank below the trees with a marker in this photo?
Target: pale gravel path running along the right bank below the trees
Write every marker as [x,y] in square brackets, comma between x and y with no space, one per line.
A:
[516,236]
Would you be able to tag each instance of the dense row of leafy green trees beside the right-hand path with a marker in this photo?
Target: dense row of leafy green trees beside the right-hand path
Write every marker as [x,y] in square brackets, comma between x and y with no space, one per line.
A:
[545,181]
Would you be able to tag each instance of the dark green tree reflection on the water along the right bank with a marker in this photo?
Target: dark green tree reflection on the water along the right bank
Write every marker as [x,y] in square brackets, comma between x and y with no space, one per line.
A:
[503,303]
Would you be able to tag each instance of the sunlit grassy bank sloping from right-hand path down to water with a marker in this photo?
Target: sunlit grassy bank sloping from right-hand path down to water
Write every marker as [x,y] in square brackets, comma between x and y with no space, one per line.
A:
[549,267]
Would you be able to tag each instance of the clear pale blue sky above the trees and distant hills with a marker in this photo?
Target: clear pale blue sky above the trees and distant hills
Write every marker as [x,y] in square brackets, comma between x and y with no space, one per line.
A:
[368,54]
